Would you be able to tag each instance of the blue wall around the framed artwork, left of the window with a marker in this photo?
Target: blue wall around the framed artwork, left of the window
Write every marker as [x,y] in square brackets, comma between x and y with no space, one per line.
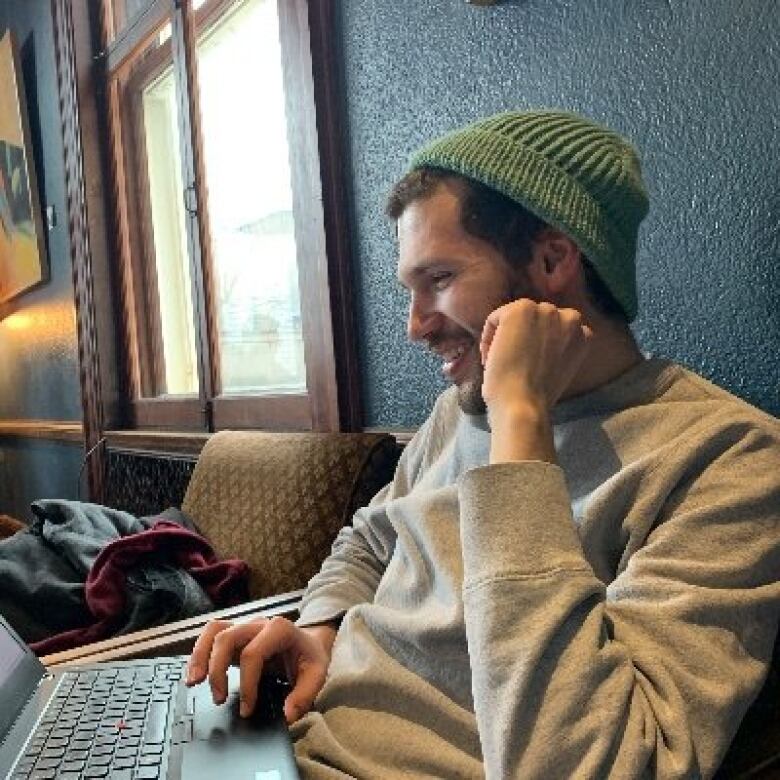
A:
[39,375]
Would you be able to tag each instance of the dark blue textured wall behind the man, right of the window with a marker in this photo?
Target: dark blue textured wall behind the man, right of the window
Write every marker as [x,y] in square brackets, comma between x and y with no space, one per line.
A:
[694,83]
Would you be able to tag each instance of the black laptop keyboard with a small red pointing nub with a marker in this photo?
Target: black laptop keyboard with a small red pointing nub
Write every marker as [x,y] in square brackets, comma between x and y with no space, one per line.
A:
[109,723]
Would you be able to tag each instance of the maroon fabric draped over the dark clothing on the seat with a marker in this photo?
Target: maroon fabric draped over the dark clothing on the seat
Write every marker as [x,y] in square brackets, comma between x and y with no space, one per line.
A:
[225,582]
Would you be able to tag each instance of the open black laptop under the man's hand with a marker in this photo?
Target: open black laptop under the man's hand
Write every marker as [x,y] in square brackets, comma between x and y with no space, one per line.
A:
[133,720]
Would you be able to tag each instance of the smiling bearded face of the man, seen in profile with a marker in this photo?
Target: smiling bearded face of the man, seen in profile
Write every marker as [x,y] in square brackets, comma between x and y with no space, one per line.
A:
[455,280]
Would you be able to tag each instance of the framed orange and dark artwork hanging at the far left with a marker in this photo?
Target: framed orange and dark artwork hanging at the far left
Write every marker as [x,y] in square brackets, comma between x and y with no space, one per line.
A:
[22,250]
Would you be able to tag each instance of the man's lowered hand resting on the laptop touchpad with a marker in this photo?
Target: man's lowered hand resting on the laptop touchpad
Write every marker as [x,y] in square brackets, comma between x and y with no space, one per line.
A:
[302,653]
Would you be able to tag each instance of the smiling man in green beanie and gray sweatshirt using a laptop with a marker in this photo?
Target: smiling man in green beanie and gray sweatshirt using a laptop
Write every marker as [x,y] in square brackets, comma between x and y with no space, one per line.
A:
[574,571]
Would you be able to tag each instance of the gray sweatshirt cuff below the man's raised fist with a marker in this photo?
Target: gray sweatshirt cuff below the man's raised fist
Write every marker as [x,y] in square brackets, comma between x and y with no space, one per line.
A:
[516,520]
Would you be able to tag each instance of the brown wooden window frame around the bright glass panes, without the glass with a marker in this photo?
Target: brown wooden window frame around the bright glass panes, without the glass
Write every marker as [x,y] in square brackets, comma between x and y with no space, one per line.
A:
[331,401]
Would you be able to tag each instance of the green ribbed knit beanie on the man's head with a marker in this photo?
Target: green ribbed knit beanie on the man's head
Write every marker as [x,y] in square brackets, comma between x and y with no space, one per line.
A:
[575,175]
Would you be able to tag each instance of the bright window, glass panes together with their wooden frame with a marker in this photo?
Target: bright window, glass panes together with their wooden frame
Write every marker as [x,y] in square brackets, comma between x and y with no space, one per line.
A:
[218,196]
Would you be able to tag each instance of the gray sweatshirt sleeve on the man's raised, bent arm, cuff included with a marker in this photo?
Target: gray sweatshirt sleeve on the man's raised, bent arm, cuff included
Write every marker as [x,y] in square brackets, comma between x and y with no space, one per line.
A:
[648,676]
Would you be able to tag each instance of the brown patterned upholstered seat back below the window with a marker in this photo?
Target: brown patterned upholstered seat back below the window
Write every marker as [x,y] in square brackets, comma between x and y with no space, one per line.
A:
[277,500]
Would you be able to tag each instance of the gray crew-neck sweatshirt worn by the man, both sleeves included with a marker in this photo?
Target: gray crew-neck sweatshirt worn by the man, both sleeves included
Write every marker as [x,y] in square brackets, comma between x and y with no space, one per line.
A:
[611,617]
